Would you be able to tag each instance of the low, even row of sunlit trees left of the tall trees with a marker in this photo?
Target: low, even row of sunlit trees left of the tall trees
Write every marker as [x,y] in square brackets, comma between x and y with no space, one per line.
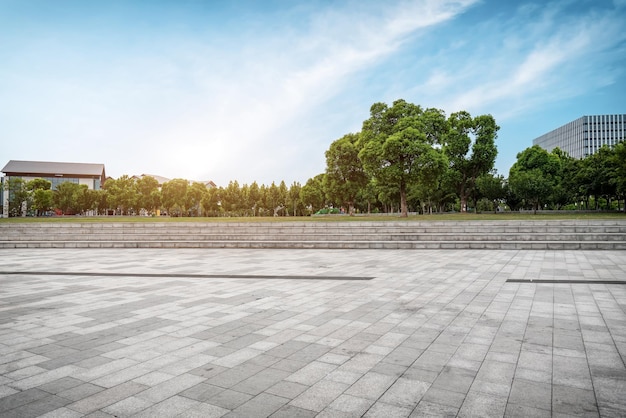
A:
[144,196]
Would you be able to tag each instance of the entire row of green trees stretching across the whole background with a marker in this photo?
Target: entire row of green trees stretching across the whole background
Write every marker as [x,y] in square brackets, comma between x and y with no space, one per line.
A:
[406,158]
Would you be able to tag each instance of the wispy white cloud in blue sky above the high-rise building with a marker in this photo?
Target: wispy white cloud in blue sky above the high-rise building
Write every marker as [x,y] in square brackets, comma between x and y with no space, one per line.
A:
[535,58]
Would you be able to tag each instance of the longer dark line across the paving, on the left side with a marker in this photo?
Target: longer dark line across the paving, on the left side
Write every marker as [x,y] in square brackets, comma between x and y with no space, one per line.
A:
[184,275]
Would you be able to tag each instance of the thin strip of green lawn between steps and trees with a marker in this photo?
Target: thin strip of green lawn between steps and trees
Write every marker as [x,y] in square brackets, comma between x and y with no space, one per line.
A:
[335,218]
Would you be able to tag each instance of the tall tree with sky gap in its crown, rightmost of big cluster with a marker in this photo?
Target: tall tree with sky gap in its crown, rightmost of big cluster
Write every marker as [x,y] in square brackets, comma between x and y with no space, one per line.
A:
[471,151]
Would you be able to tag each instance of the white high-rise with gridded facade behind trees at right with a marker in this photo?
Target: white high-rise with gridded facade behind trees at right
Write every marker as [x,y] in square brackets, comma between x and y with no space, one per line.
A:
[585,135]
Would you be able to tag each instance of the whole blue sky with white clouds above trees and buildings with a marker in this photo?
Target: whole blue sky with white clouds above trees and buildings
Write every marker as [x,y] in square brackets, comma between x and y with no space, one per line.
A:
[258,90]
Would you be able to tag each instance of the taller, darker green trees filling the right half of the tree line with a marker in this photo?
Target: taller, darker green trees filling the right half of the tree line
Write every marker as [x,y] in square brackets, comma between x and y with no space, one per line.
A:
[407,158]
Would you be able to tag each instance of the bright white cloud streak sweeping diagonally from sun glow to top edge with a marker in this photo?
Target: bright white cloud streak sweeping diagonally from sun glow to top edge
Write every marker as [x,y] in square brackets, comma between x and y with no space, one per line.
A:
[243,123]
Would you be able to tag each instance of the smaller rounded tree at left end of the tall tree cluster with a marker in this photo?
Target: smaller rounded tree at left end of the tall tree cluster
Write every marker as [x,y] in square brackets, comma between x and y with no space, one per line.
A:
[345,175]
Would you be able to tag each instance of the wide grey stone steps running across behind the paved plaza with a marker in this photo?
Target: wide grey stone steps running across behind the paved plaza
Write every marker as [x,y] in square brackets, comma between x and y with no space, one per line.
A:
[533,235]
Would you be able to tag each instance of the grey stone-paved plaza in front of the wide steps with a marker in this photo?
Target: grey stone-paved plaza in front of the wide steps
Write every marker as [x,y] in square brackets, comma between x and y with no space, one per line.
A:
[312,333]
